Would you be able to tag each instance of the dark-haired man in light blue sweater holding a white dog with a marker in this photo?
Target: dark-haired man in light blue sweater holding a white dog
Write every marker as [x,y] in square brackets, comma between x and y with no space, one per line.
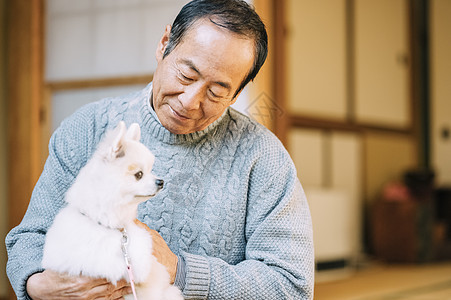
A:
[232,221]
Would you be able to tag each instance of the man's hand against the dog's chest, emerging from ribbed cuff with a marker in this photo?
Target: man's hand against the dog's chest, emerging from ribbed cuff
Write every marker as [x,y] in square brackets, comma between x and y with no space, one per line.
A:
[162,252]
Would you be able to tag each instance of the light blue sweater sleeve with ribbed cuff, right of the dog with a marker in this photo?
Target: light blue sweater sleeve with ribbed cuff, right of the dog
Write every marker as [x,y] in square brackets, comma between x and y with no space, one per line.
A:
[279,259]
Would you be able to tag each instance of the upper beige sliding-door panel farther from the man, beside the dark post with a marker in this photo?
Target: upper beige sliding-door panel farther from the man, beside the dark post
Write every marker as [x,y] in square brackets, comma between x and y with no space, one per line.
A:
[382,63]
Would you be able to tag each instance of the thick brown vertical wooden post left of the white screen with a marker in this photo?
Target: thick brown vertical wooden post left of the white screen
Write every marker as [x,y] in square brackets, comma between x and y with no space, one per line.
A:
[24,92]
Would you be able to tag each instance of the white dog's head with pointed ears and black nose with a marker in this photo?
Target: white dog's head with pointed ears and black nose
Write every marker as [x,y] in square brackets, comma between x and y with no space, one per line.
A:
[129,165]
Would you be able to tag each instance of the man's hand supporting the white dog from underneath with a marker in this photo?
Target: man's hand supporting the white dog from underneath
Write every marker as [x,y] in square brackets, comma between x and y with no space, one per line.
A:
[50,285]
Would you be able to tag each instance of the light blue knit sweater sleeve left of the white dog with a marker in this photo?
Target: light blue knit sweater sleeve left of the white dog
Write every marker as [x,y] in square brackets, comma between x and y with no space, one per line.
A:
[24,243]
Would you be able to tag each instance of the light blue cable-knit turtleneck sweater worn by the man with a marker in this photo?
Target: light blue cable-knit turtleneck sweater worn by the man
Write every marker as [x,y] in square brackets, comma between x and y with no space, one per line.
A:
[232,205]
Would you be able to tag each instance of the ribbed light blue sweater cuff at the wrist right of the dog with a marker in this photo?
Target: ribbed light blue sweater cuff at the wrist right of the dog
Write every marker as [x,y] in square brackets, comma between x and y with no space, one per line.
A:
[197,280]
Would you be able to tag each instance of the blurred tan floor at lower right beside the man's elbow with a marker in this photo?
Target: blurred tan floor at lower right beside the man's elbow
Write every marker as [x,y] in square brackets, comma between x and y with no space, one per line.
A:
[384,282]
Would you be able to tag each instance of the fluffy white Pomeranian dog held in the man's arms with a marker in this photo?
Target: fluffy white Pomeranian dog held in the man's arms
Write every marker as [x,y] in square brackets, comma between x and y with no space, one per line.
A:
[96,235]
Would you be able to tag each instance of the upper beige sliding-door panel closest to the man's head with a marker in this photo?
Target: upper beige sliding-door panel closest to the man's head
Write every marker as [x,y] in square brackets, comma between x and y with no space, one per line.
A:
[316,56]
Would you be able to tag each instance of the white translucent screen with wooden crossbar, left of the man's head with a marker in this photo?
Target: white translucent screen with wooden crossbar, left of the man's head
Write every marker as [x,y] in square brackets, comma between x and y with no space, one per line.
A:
[94,40]
